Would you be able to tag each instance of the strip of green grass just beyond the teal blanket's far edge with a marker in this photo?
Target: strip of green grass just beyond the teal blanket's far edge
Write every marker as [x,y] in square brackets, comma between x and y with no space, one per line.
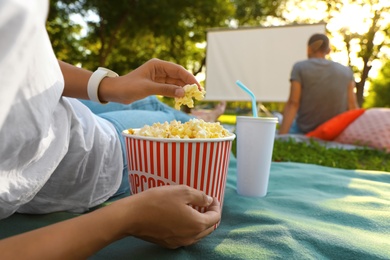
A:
[314,153]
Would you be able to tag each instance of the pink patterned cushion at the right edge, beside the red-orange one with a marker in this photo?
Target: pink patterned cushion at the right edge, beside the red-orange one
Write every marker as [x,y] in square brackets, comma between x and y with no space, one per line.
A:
[371,129]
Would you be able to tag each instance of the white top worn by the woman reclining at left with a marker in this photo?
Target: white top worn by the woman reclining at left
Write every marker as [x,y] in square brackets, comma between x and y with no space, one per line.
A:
[54,153]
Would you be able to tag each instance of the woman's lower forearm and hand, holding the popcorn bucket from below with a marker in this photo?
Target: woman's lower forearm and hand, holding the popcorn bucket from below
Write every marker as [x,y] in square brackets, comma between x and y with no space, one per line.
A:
[160,215]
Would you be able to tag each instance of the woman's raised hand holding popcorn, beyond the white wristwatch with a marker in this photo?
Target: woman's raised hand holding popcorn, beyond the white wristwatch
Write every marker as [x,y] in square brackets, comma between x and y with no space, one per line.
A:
[155,77]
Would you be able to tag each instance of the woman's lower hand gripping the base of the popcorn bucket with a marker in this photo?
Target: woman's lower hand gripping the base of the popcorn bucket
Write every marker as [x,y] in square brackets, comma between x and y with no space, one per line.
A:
[164,216]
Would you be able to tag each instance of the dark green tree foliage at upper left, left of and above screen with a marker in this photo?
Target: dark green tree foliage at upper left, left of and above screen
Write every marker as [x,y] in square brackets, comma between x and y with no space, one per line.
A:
[124,35]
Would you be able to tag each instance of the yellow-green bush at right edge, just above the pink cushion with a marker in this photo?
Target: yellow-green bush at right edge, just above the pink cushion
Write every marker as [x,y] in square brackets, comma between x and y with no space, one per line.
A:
[379,93]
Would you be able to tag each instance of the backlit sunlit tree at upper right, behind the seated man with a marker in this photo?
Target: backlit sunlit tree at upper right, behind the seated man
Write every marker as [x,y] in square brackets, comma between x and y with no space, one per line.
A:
[362,46]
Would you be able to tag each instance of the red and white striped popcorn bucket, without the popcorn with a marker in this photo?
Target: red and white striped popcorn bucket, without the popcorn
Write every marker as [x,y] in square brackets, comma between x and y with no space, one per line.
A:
[198,163]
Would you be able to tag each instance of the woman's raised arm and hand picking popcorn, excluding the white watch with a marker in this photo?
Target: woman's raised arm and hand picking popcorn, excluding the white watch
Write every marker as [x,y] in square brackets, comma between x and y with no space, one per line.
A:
[155,77]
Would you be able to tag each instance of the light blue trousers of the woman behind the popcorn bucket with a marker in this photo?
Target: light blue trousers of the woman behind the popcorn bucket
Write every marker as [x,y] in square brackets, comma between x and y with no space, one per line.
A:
[135,115]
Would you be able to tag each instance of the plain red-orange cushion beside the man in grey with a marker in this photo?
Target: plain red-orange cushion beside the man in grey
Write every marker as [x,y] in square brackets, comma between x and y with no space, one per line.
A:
[334,126]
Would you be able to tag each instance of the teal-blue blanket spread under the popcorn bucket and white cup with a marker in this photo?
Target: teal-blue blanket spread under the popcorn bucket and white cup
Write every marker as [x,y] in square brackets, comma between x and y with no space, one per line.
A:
[310,212]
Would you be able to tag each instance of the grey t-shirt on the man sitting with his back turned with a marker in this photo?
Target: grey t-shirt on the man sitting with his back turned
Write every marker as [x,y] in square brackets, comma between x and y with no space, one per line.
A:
[324,91]
